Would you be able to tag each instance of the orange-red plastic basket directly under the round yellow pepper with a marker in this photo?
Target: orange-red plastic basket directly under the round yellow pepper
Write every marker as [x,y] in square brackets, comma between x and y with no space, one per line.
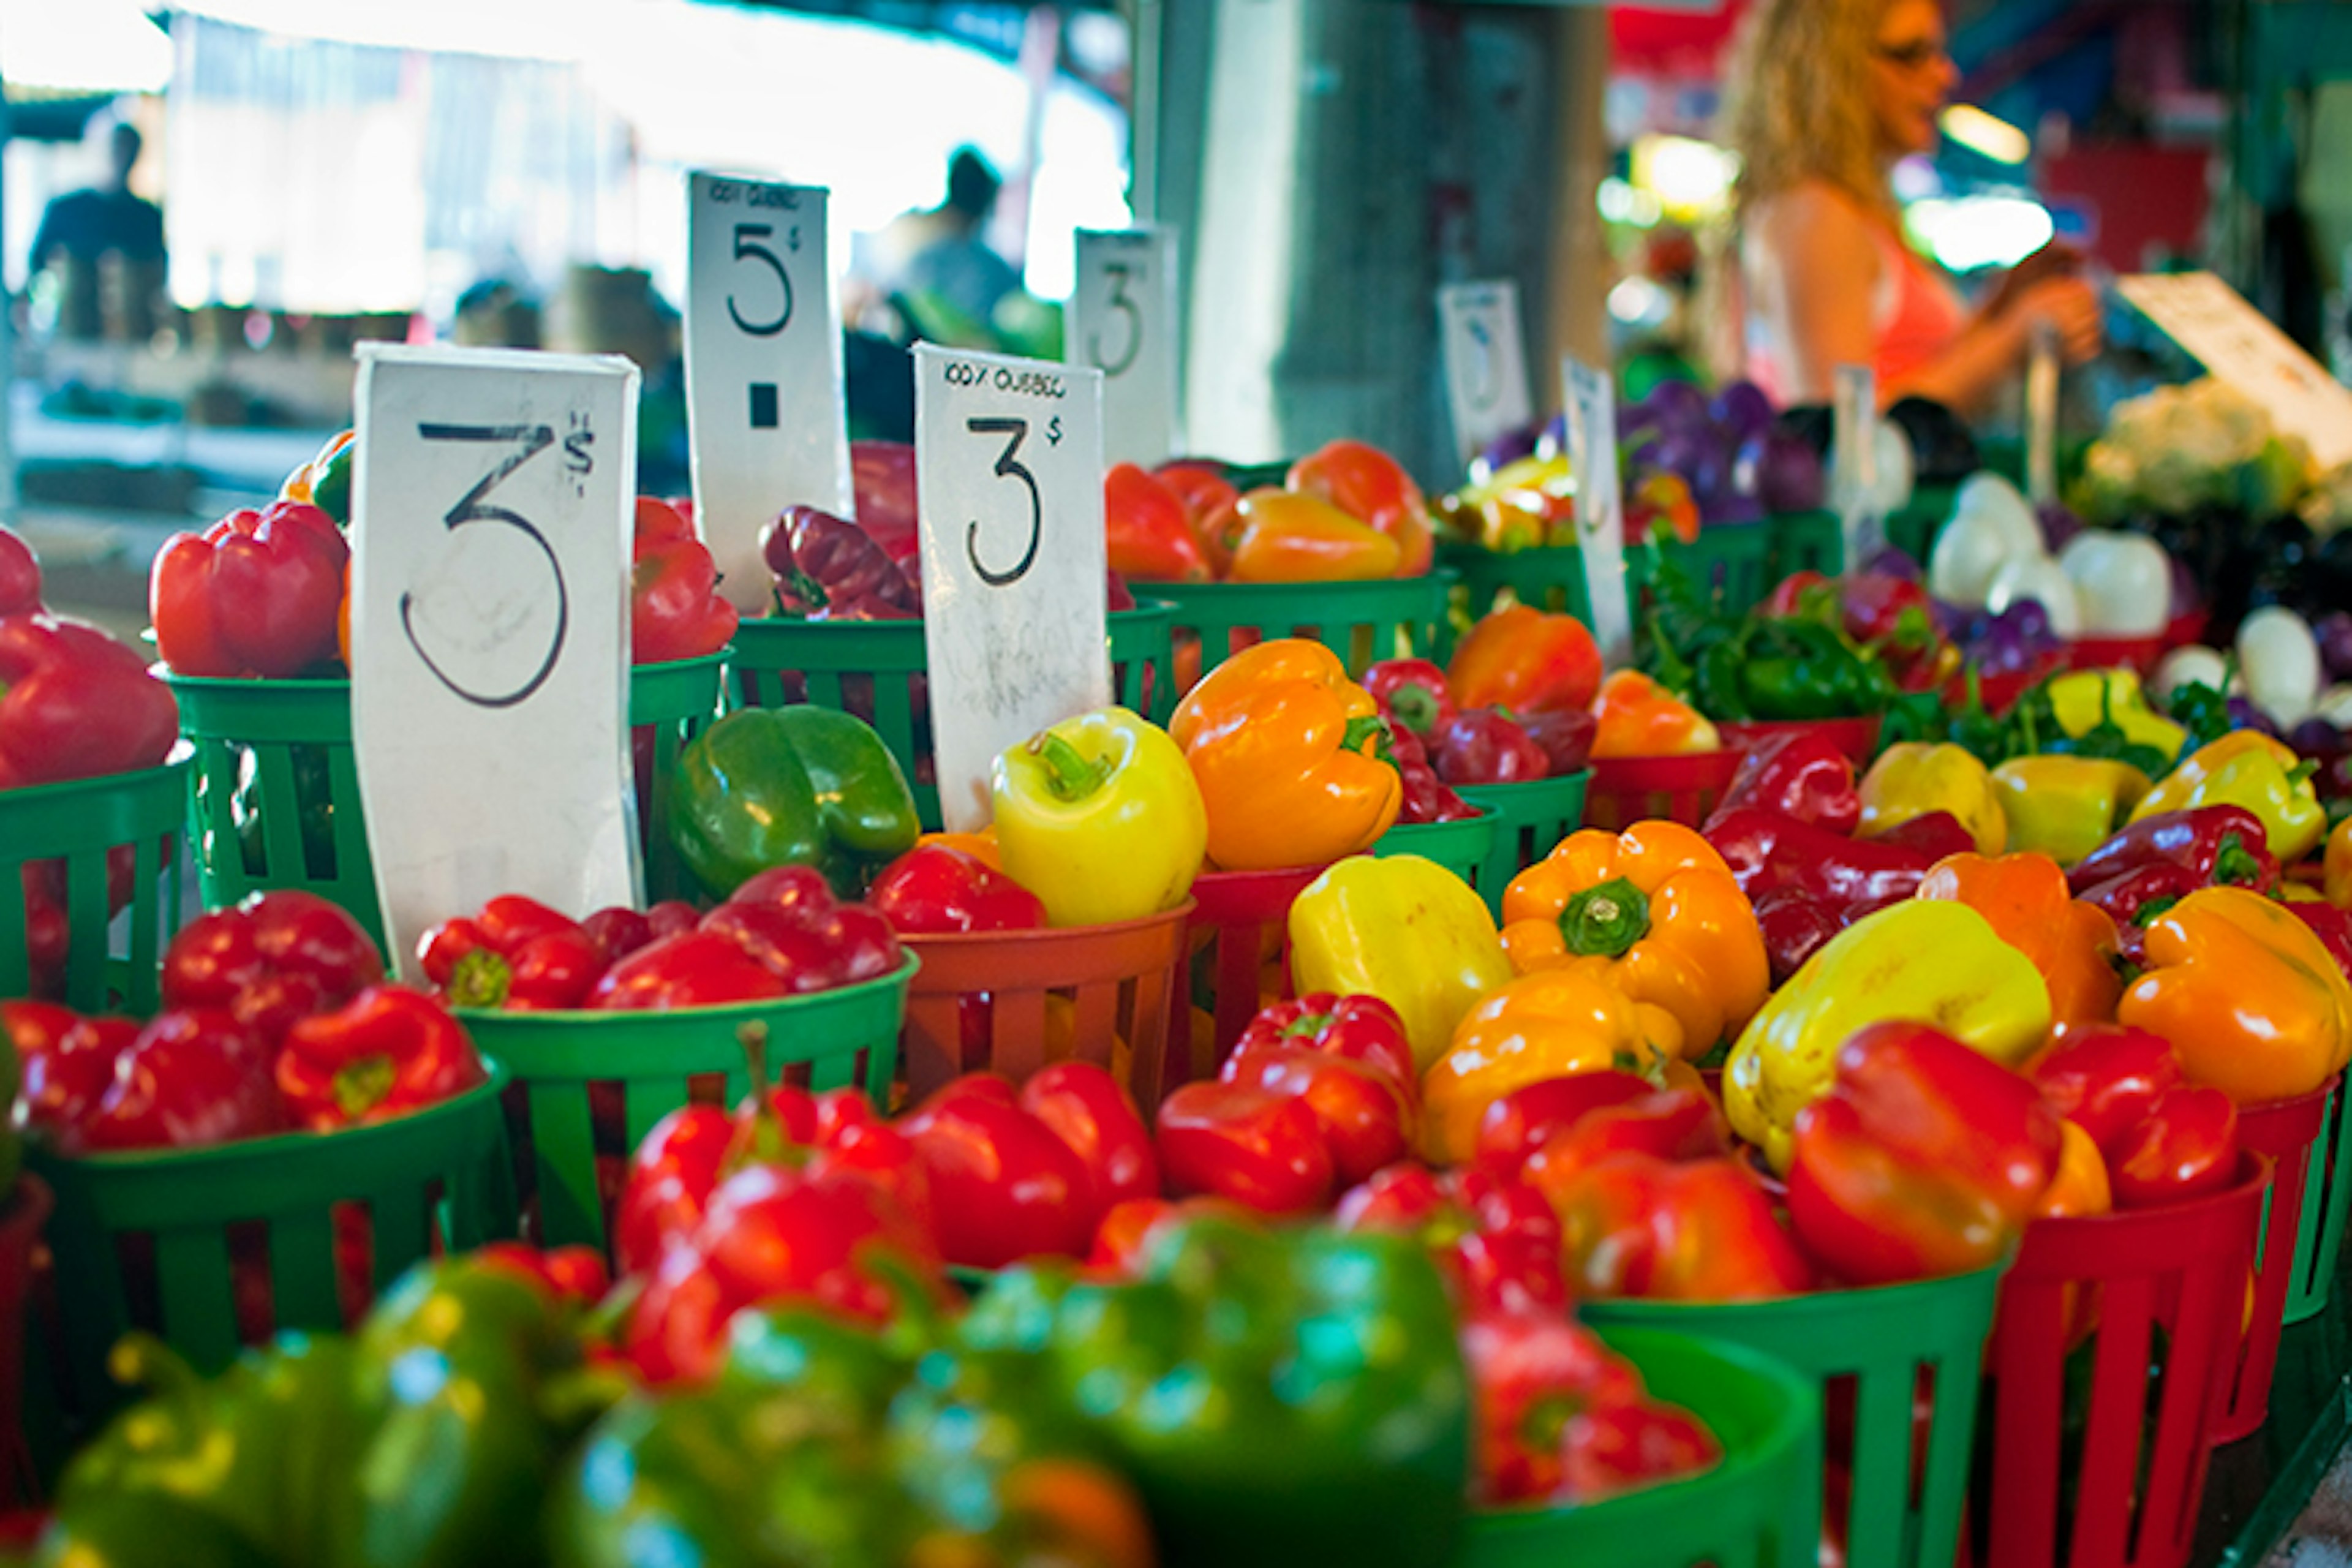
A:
[1020,1000]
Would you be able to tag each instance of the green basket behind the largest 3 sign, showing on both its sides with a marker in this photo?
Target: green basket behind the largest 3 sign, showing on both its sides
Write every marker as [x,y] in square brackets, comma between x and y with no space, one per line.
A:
[274,800]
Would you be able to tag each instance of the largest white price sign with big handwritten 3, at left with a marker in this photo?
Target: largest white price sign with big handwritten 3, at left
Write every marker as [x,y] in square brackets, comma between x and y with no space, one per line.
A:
[490,535]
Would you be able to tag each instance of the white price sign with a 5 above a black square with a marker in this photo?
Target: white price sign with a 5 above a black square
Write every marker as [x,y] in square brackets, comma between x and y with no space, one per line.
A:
[766,406]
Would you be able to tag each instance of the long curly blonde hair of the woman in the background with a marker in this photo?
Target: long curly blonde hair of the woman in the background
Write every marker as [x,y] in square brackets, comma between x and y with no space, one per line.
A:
[1798,100]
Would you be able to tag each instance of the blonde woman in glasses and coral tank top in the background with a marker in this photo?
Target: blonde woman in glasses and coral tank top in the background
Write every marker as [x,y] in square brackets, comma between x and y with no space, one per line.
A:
[1824,98]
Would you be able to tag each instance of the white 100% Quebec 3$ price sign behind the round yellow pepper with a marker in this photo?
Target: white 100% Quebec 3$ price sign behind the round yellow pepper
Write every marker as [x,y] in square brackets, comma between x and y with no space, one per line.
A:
[1010,471]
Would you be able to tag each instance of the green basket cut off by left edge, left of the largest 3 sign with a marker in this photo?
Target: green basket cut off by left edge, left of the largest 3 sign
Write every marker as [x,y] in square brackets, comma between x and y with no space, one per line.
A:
[72,833]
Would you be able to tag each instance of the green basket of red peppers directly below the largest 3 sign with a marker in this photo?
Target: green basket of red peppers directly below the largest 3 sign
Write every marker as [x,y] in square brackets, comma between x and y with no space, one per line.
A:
[646,1066]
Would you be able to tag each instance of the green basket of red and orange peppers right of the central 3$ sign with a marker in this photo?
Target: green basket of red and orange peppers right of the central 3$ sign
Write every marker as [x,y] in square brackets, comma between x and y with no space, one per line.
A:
[1358,622]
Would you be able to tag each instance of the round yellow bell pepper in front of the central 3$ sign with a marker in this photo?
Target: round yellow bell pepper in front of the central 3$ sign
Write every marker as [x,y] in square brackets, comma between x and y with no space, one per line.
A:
[1102,819]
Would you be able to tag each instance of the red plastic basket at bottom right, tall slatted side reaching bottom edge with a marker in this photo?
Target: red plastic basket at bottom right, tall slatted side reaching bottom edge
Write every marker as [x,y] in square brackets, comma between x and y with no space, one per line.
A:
[2127,1492]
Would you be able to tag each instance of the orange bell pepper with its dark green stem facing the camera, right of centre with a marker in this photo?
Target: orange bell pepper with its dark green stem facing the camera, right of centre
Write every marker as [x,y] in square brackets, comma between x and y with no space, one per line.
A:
[1662,909]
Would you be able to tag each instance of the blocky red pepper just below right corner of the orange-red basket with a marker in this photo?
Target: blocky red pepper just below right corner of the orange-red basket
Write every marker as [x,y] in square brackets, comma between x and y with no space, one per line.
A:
[1245,1144]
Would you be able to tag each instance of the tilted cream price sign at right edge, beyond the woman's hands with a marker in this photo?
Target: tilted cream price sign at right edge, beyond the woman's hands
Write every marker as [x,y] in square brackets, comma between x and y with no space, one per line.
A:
[2245,349]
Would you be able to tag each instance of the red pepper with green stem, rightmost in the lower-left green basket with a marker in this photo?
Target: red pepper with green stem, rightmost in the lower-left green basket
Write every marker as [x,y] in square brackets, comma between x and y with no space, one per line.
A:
[385,1054]
